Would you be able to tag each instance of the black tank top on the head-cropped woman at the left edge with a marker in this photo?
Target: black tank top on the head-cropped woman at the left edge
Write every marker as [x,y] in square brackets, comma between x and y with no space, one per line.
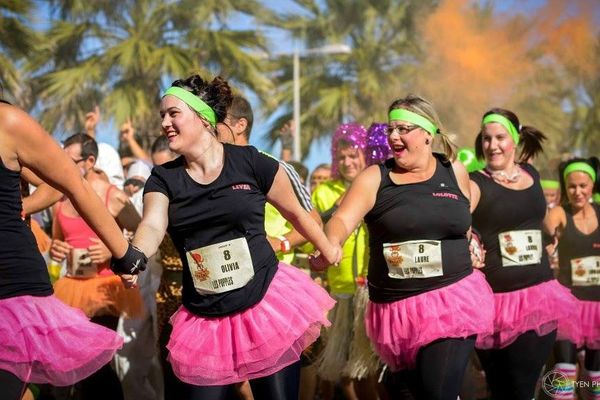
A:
[22,268]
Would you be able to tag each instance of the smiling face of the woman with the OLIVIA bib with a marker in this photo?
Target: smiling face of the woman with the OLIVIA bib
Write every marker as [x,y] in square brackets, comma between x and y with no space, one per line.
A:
[180,124]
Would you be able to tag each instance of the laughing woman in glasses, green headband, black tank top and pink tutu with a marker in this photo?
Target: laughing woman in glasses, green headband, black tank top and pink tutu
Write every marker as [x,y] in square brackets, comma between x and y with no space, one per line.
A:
[426,303]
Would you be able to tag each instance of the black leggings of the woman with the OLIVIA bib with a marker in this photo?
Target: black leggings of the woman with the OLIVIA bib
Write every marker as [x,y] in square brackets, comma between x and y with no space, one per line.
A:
[282,385]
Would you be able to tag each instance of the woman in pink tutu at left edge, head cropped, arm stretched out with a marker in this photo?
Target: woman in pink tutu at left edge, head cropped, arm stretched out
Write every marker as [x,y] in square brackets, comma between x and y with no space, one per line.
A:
[41,339]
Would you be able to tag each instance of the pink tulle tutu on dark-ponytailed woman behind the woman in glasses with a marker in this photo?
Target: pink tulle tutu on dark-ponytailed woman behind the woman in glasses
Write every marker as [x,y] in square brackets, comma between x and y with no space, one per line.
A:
[537,308]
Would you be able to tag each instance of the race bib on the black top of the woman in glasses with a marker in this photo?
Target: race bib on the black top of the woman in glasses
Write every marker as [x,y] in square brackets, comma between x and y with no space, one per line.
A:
[414,259]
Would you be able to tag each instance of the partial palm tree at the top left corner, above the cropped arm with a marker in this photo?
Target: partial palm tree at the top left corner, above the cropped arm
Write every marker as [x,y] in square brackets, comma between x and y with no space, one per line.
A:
[16,40]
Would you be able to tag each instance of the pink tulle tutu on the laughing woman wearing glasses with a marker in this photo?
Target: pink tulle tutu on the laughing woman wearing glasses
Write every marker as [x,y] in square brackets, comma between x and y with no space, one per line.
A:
[399,329]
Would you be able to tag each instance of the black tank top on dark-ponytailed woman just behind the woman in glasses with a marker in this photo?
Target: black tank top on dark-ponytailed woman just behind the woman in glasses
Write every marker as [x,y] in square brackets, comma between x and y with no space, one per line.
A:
[503,210]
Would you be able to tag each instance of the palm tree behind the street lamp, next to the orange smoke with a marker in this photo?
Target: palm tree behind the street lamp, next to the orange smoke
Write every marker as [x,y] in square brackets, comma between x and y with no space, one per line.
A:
[342,88]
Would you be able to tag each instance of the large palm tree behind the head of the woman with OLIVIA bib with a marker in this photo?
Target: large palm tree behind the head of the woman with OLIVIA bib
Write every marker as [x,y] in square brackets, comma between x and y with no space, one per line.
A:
[121,55]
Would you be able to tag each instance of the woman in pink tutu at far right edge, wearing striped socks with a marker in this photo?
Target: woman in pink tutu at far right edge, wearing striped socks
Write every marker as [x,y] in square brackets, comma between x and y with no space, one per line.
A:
[575,222]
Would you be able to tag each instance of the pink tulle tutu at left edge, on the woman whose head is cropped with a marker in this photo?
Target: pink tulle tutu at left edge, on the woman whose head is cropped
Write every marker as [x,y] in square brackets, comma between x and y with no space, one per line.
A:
[42,340]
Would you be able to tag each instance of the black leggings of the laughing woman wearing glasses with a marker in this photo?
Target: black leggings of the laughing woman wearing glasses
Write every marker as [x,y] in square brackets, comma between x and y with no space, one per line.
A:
[438,374]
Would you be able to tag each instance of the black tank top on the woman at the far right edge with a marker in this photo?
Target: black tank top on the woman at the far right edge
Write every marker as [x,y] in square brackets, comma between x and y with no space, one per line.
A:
[573,245]
